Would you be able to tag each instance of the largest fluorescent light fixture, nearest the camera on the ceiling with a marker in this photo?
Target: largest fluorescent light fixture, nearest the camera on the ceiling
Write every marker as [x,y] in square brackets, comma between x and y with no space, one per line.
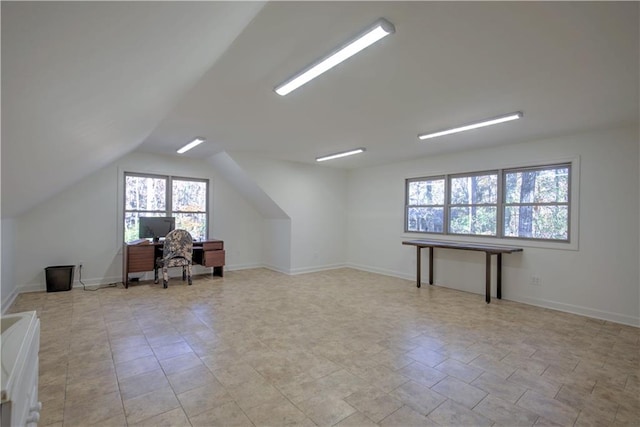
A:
[371,35]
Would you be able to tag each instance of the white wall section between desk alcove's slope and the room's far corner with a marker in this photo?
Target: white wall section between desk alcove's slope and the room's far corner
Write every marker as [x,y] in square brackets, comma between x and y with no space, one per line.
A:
[315,198]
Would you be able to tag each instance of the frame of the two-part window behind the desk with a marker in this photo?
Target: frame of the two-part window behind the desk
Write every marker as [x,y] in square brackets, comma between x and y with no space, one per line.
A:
[169,205]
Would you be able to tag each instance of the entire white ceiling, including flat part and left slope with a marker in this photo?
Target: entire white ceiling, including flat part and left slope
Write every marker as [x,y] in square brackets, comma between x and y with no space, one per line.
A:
[85,83]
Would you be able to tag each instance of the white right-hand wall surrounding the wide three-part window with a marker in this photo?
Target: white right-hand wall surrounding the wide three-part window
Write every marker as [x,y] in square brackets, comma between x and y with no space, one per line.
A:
[598,278]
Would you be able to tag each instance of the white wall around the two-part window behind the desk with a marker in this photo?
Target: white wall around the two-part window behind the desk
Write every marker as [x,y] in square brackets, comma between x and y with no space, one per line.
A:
[84,223]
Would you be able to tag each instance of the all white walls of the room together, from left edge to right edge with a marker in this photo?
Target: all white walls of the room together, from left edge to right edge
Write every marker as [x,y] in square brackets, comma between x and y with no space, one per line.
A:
[356,218]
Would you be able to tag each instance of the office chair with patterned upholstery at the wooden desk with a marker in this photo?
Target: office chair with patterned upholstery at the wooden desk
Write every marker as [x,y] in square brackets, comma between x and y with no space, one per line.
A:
[177,252]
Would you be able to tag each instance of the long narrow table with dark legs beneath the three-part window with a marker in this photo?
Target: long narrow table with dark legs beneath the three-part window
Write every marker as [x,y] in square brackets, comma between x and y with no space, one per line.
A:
[487,249]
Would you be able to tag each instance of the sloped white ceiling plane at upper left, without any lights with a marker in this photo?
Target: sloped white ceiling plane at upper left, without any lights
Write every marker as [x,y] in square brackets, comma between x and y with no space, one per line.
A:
[84,83]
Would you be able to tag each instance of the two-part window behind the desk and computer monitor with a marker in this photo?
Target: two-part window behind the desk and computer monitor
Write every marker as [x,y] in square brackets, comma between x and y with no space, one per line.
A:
[186,199]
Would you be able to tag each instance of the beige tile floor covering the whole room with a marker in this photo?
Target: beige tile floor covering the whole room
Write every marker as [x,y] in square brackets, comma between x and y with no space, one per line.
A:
[342,347]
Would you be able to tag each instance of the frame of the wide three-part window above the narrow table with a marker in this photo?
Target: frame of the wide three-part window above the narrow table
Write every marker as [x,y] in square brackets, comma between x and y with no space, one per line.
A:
[573,168]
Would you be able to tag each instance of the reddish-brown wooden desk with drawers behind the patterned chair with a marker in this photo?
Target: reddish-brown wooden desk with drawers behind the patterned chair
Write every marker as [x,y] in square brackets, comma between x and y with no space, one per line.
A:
[142,257]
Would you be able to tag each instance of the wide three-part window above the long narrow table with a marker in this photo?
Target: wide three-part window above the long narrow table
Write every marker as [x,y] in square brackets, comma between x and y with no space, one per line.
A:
[524,203]
